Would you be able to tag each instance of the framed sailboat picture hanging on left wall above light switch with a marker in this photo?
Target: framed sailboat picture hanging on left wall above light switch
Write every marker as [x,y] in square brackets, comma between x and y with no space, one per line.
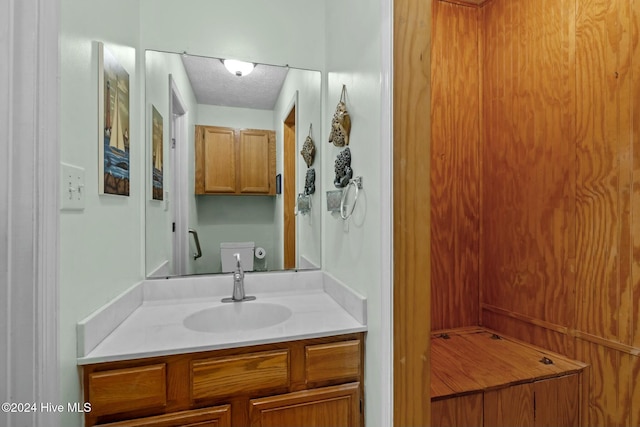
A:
[113,125]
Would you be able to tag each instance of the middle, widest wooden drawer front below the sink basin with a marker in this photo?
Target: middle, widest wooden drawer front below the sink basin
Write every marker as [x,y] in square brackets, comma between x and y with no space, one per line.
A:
[242,374]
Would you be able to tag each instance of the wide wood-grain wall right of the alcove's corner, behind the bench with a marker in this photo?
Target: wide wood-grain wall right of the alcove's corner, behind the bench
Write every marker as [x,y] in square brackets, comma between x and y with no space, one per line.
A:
[560,199]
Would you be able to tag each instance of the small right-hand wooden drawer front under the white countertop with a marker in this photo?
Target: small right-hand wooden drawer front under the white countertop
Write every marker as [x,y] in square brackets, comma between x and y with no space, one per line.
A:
[334,361]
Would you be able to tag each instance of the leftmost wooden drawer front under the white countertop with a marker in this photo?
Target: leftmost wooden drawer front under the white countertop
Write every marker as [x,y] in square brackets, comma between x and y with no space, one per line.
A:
[122,390]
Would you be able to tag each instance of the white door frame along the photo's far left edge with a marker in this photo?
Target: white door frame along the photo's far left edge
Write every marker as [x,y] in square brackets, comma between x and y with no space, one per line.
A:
[29,253]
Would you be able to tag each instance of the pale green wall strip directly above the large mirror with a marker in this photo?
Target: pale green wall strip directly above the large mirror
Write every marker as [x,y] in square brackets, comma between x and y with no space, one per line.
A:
[277,32]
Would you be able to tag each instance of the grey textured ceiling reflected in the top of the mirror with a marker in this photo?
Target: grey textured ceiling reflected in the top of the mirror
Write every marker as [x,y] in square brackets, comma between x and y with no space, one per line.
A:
[213,85]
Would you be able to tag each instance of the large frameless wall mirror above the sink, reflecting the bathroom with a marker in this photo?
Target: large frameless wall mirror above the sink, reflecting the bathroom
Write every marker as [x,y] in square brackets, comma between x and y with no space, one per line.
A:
[189,99]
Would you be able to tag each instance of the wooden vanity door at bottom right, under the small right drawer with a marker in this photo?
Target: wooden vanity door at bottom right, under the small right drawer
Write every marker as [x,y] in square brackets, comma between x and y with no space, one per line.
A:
[336,406]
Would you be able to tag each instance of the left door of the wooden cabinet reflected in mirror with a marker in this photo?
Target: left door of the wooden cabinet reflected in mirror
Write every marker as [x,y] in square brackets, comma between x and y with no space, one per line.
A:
[215,160]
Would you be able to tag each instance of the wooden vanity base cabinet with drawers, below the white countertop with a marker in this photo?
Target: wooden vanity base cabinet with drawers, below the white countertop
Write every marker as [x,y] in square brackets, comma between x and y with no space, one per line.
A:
[279,384]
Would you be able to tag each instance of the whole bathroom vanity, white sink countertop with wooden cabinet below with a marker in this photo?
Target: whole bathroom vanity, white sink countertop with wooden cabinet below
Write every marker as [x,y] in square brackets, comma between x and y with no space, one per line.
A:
[170,353]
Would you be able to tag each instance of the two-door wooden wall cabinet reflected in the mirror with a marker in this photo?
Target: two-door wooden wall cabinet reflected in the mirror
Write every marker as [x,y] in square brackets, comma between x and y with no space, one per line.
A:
[235,161]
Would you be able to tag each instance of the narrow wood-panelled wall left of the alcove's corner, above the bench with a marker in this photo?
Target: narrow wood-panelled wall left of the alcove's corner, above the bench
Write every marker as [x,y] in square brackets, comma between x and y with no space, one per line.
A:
[455,174]
